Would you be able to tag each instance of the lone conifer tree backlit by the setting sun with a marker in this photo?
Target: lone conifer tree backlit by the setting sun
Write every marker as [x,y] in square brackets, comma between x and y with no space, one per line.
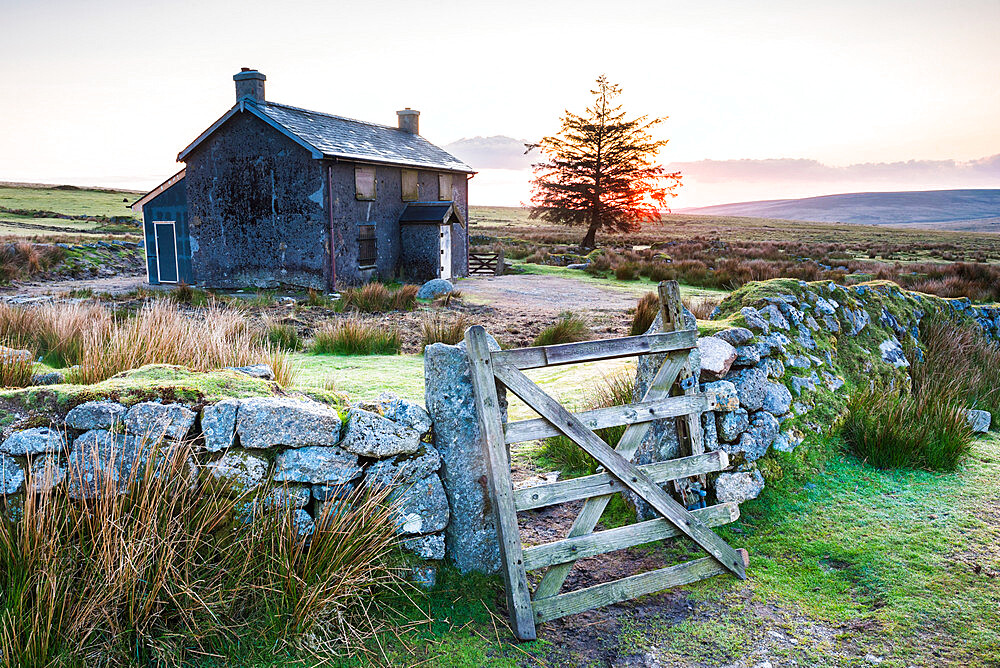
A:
[600,170]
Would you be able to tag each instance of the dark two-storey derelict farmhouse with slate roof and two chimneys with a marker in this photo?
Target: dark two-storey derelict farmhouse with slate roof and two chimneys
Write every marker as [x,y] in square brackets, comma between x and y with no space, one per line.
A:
[276,195]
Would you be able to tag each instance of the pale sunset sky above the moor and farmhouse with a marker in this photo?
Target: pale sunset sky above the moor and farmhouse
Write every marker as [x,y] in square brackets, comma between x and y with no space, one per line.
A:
[765,99]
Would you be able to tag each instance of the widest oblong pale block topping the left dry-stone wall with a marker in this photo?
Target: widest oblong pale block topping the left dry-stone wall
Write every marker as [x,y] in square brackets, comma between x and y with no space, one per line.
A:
[267,422]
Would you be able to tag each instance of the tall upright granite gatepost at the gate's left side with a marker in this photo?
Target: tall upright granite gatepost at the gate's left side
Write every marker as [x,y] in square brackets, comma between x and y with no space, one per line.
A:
[471,536]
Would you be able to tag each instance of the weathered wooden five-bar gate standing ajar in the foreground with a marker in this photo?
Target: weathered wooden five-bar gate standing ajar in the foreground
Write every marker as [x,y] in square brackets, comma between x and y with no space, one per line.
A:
[673,393]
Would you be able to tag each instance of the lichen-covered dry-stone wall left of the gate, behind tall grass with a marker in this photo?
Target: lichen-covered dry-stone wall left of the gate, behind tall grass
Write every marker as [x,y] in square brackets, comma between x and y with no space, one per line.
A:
[307,452]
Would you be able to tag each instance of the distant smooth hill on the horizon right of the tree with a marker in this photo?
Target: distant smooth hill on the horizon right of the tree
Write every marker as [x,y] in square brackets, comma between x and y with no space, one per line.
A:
[959,210]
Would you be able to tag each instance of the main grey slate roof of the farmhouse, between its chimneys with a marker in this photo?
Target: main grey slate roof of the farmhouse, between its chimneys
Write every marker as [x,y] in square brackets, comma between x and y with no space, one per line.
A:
[332,136]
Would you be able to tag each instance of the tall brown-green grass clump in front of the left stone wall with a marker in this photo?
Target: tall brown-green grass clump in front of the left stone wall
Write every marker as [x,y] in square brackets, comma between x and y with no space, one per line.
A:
[168,571]
